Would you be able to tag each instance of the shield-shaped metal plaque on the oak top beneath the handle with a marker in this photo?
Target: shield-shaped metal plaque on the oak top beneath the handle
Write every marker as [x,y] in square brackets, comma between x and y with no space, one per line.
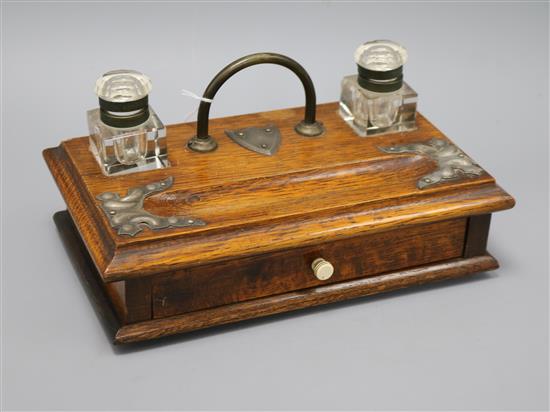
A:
[264,140]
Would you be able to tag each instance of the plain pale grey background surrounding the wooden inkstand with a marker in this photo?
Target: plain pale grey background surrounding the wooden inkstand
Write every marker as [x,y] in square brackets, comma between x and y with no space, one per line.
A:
[481,71]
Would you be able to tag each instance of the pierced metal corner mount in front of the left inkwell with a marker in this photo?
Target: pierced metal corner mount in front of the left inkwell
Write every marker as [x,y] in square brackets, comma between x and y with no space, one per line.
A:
[128,216]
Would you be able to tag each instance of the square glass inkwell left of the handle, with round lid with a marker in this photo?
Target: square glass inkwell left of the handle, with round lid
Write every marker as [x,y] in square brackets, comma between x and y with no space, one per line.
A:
[126,135]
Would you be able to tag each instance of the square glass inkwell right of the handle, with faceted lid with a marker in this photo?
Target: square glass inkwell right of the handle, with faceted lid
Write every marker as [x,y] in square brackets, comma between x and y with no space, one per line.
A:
[377,100]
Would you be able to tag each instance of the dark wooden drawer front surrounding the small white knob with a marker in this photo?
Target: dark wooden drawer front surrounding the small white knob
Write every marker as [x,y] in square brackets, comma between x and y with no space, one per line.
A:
[271,274]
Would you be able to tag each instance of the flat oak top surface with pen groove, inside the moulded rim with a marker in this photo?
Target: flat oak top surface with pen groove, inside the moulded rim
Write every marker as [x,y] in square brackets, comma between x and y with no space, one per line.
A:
[233,184]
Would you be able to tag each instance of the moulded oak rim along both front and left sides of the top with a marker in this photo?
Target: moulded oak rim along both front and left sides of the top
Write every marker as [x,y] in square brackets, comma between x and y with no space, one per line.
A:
[137,260]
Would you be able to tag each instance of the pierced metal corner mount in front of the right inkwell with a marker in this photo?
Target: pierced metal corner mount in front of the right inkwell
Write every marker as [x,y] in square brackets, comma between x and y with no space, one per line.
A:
[452,163]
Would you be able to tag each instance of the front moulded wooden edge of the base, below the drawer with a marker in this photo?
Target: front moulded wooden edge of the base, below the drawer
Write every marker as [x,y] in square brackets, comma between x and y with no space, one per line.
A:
[303,299]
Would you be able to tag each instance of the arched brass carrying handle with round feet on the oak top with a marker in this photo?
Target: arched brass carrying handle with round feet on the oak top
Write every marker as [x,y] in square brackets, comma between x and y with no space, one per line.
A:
[203,142]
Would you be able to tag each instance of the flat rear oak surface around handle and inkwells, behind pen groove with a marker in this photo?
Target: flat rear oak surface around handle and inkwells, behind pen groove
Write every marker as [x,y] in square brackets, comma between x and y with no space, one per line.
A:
[231,162]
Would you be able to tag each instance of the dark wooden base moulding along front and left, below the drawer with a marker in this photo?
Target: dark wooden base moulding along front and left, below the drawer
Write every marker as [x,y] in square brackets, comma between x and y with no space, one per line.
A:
[123,332]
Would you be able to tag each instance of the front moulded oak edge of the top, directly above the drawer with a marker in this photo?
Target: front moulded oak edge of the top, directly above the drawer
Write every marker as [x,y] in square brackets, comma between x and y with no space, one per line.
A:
[305,230]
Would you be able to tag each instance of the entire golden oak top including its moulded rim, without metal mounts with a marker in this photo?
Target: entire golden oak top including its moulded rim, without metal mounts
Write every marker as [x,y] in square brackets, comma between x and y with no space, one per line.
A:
[312,191]
